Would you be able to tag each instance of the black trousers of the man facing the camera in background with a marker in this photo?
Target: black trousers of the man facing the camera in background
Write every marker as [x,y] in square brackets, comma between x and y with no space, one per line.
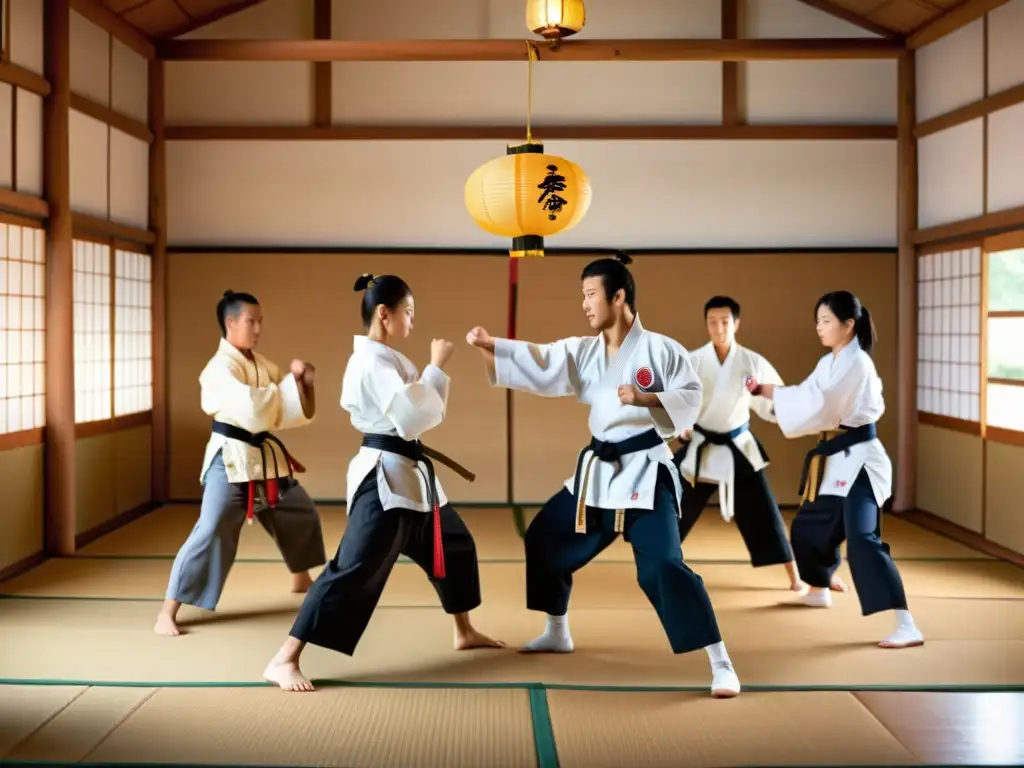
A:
[755,511]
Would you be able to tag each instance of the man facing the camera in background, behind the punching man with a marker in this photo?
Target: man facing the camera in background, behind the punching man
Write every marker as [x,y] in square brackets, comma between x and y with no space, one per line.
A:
[721,453]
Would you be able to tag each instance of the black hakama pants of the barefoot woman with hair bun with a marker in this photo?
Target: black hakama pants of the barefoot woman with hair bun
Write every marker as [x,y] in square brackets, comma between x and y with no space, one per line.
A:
[338,607]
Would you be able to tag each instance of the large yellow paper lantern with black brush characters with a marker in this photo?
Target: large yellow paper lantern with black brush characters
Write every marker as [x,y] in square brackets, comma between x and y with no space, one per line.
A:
[528,196]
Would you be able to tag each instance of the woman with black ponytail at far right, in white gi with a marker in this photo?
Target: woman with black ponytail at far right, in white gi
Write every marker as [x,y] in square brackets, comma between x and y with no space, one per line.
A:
[848,477]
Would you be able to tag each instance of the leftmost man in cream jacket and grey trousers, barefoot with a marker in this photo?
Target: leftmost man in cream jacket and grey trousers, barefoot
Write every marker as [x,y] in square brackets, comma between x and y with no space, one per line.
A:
[247,473]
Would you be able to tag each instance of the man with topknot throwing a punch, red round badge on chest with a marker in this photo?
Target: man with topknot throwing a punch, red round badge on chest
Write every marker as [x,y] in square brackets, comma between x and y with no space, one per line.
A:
[643,391]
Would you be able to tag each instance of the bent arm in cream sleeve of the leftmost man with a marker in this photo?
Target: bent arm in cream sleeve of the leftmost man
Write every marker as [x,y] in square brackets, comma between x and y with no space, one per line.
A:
[226,395]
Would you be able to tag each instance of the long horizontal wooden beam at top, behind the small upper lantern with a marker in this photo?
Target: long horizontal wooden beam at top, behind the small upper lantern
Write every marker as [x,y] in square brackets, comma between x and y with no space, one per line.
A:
[516,51]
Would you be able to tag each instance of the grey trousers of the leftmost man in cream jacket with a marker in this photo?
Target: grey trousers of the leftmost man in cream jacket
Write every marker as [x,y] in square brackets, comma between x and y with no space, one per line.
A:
[202,565]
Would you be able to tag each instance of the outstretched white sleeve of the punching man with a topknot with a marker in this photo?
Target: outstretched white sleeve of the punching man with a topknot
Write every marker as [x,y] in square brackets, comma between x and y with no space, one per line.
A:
[547,370]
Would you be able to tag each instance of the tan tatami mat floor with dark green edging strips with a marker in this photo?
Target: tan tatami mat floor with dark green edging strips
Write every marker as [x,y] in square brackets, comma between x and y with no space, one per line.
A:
[84,679]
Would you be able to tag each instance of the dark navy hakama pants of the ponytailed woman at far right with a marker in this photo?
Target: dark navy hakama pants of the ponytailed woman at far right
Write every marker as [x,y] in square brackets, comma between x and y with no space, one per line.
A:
[819,532]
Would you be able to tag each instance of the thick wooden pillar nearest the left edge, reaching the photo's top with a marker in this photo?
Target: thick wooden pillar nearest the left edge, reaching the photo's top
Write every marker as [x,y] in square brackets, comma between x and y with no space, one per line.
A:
[60,522]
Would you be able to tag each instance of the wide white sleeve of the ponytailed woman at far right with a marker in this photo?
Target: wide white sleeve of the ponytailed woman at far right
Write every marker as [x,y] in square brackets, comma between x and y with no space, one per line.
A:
[822,401]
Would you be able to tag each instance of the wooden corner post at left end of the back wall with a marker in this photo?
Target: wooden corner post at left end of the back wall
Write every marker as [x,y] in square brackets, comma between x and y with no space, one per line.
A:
[158,225]
